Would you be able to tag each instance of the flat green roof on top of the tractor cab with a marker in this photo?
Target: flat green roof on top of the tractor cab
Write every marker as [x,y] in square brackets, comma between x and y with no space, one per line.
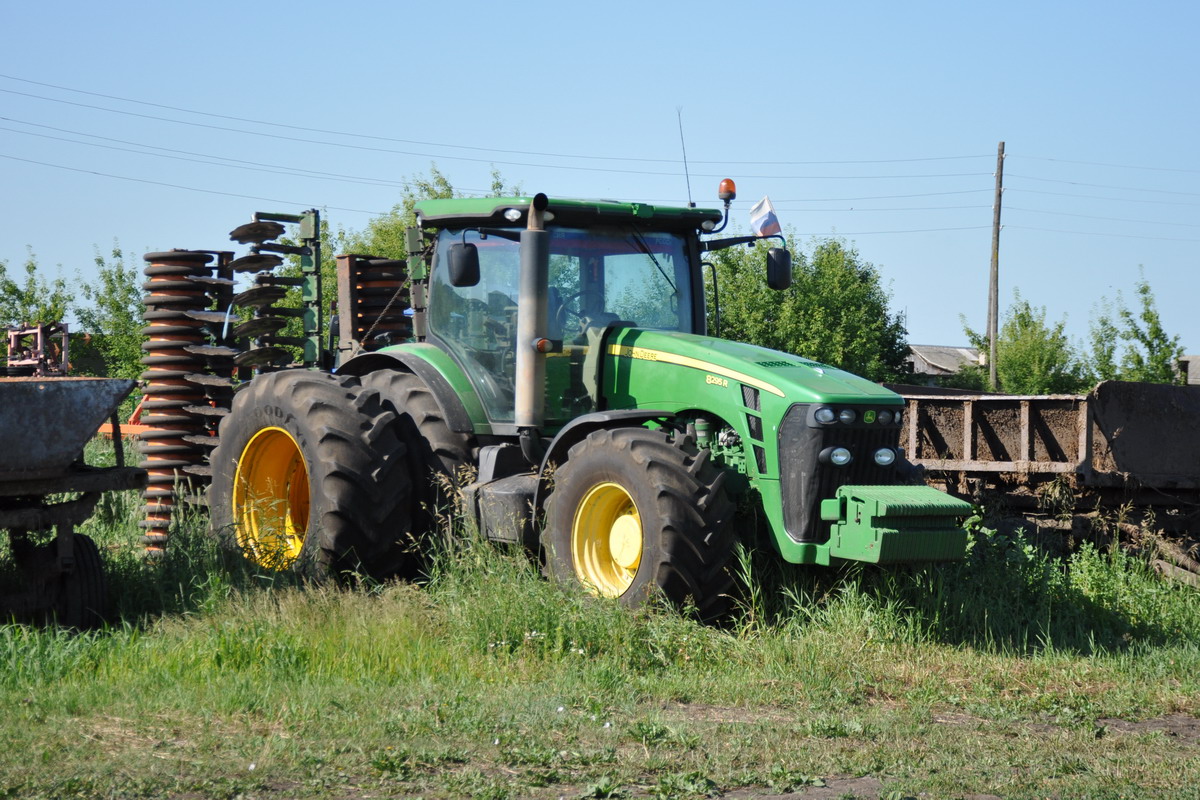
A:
[490,210]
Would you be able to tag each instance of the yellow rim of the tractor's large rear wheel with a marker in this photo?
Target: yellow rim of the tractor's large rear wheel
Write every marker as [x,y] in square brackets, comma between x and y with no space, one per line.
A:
[271,500]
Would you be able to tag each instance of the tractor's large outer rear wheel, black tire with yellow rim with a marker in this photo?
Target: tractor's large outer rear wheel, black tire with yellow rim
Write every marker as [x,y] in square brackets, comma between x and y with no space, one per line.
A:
[316,458]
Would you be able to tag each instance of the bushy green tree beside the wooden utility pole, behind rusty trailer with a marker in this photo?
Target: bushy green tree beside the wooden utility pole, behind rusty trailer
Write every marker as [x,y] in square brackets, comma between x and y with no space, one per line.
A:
[1033,357]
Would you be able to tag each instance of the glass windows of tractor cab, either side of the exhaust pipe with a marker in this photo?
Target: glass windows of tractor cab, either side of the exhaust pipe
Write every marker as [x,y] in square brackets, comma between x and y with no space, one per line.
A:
[602,276]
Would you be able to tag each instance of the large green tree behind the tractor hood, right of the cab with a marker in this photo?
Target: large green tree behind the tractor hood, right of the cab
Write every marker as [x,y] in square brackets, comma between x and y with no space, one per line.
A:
[836,311]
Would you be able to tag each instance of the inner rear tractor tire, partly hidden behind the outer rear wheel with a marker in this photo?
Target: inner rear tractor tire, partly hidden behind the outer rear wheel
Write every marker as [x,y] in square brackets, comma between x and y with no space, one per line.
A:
[437,455]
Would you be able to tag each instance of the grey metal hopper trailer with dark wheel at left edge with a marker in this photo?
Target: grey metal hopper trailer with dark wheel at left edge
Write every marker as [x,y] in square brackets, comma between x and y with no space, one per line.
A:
[46,490]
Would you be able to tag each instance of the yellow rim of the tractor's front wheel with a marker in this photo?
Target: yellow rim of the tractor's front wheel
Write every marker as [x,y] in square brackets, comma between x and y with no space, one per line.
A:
[607,540]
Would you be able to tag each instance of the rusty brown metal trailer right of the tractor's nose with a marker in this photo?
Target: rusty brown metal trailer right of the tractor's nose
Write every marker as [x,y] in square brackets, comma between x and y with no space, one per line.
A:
[1123,443]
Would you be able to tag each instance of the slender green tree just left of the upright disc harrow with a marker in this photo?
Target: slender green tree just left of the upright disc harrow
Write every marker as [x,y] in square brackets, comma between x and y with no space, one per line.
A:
[113,315]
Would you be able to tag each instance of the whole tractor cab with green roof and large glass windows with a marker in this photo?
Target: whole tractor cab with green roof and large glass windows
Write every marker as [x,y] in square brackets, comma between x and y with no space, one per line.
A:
[610,266]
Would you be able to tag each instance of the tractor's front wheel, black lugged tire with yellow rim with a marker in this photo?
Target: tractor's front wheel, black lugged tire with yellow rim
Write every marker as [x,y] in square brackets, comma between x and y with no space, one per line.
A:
[680,507]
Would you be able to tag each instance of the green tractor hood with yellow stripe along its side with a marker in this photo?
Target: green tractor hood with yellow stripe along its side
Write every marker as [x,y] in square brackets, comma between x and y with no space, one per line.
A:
[706,363]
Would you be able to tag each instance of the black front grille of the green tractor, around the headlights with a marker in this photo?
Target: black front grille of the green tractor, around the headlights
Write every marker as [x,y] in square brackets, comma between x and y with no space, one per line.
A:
[806,482]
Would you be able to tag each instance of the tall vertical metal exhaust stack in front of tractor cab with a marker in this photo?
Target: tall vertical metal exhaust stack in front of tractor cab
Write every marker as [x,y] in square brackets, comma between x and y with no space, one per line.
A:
[532,328]
